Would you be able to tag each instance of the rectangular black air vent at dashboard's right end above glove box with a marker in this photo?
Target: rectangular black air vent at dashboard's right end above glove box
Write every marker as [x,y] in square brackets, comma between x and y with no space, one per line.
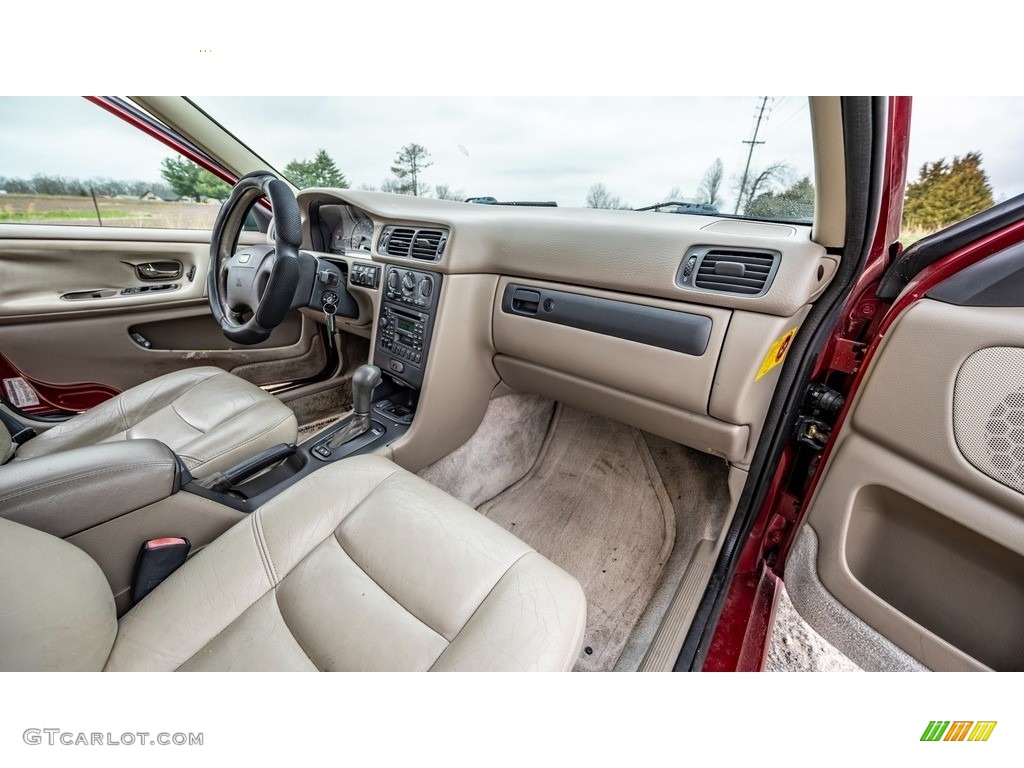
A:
[729,271]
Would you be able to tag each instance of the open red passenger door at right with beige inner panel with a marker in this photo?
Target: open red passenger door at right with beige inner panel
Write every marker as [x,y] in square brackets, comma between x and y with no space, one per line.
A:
[912,553]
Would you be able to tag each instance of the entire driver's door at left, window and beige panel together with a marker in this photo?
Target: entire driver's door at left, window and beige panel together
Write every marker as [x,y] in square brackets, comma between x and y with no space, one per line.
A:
[104,289]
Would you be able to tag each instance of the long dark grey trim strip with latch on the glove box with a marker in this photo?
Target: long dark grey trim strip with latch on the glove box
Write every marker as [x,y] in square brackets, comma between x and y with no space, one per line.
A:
[667,329]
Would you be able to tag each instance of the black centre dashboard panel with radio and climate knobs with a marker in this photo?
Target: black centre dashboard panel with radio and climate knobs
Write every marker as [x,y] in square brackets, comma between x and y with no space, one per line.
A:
[406,323]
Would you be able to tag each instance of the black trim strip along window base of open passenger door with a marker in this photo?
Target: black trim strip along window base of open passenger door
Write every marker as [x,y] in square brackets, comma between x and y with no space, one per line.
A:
[929,250]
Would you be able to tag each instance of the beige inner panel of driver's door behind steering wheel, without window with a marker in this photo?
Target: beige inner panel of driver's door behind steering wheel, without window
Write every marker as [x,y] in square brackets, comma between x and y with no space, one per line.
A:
[65,342]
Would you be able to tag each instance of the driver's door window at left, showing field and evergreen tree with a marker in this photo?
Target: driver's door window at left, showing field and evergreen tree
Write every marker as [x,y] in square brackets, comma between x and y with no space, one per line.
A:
[66,161]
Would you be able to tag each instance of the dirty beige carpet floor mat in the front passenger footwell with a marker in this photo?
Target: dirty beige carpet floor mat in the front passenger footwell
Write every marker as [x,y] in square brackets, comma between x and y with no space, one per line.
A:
[595,505]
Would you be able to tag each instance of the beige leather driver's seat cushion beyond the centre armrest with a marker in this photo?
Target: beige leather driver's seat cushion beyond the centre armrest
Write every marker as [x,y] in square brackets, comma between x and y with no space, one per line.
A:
[211,419]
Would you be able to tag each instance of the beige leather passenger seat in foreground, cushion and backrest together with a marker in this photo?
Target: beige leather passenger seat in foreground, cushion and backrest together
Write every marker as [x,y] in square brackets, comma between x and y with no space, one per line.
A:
[360,567]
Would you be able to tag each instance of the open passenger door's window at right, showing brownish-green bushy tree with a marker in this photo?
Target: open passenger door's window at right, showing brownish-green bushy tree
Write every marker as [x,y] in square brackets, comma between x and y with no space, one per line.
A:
[965,157]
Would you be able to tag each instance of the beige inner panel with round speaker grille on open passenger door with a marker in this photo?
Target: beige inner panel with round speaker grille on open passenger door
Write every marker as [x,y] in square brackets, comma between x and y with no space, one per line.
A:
[920,515]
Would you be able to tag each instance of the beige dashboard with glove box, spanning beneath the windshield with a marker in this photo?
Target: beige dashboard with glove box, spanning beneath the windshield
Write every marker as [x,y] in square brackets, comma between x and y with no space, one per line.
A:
[618,340]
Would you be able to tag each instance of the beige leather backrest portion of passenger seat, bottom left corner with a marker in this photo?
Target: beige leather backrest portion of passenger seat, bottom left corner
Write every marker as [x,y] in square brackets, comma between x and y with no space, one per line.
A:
[57,606]
